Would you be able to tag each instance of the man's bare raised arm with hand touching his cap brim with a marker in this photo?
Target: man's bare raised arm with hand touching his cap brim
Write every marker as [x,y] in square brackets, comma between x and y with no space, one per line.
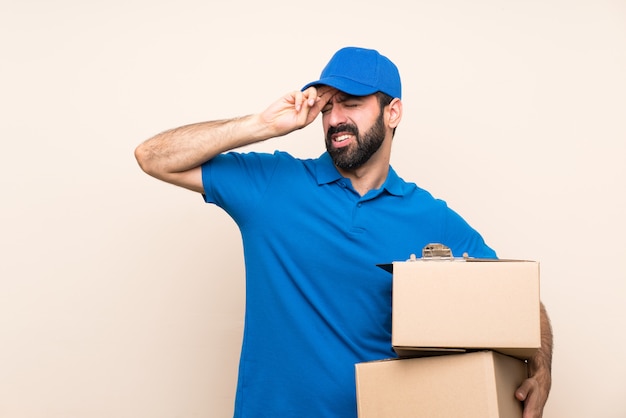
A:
[175,156]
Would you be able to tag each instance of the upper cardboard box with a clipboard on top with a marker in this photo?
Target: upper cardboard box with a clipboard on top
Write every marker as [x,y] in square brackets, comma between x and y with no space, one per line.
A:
[466,304]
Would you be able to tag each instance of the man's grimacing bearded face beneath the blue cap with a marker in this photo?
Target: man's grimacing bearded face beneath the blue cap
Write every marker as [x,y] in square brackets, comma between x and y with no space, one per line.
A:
[347,144]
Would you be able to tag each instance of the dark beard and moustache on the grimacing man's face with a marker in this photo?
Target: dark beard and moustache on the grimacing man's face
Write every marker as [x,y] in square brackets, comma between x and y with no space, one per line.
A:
[349,158]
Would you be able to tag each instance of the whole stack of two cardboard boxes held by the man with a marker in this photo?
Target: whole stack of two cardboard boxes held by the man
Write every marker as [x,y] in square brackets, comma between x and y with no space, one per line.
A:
[462,329]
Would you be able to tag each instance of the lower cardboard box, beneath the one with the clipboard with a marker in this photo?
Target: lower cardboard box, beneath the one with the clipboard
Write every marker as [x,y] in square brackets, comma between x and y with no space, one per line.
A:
[473,385]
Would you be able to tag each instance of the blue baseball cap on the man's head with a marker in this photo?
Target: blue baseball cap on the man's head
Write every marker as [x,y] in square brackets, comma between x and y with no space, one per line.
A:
[360,72]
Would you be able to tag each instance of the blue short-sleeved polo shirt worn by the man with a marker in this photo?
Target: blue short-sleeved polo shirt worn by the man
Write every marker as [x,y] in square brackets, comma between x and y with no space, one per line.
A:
[316,303]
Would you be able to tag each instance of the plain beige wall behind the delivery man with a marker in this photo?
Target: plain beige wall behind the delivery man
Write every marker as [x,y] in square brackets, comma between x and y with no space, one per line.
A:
[121,296]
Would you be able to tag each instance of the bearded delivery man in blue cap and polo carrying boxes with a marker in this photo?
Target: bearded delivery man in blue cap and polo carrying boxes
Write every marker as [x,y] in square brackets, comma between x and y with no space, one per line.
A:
[314,230]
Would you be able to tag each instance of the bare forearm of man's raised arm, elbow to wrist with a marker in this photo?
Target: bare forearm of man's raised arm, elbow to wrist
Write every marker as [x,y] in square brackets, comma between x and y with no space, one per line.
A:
[184,148]
